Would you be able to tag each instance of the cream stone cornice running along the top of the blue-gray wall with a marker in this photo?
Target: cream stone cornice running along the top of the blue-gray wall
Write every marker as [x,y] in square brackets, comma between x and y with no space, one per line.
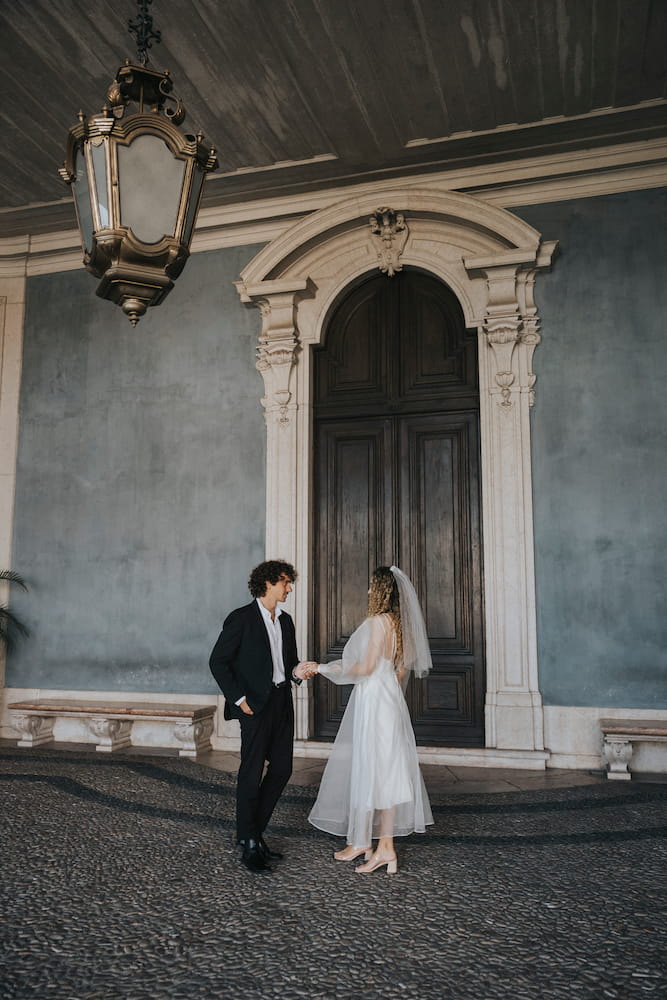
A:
[558,177]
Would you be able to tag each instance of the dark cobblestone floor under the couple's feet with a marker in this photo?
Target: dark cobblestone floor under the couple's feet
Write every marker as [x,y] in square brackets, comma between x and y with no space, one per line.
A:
[120,882]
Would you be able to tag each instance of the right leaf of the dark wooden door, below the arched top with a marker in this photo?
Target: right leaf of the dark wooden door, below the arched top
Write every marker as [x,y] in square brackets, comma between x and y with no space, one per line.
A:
[440,518]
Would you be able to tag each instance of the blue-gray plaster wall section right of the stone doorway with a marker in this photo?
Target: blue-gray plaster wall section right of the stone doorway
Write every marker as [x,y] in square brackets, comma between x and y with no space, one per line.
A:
[599,446]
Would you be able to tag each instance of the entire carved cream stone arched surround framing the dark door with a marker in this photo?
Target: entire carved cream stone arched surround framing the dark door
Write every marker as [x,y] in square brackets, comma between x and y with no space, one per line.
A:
[489,258]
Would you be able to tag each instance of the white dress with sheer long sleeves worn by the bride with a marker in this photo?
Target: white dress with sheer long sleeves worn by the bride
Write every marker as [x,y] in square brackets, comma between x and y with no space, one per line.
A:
[372,786]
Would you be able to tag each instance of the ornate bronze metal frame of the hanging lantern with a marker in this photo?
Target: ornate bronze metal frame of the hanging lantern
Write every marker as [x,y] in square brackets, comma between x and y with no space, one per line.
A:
[135,273]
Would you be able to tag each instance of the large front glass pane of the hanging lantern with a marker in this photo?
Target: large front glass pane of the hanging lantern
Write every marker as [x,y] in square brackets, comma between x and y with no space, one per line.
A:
[150,180]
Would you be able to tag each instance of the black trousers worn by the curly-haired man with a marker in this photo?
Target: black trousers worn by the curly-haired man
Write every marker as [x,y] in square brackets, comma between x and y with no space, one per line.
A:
[266,737]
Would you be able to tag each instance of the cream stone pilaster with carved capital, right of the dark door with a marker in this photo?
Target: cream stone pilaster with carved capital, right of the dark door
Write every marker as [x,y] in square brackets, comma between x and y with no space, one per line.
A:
[508,336]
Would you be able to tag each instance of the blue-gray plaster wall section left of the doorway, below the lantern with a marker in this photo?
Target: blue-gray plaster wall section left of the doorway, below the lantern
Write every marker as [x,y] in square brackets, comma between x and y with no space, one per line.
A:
[140,497]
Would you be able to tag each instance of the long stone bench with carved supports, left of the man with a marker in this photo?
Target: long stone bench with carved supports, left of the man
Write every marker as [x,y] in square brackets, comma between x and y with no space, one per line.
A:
[111,723]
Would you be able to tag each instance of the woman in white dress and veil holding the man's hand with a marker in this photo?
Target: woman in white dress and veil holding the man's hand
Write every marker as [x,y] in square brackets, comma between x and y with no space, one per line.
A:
[372,786]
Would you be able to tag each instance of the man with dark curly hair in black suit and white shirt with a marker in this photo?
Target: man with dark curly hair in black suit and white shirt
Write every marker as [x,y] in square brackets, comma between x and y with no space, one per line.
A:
[254,661]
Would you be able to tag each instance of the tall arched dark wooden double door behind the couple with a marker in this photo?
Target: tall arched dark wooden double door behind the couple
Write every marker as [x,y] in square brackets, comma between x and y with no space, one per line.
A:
[396,454]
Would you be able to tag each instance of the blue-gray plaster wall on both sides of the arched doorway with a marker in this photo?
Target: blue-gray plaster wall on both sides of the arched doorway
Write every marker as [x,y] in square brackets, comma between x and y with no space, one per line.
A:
[141,490]
